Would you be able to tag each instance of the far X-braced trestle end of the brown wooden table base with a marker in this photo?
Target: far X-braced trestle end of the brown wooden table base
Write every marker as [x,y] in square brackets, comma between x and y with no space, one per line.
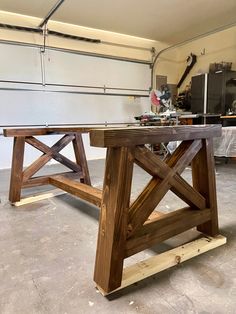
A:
[25,178]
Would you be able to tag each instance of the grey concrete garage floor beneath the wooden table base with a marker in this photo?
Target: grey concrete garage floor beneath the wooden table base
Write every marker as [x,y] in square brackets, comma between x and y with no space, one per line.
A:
[47,253]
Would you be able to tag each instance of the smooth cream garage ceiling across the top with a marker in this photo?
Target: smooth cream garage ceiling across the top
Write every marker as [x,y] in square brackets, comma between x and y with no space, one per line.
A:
[171,21]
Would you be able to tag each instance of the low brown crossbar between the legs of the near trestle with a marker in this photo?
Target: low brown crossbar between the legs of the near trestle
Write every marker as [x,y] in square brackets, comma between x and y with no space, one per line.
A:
[166,227]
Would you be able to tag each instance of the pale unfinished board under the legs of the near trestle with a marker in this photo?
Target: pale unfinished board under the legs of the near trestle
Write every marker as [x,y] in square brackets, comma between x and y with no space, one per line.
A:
[166,260]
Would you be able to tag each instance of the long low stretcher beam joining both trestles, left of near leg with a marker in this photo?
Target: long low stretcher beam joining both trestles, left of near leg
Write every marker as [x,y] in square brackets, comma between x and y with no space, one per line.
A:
[84,191]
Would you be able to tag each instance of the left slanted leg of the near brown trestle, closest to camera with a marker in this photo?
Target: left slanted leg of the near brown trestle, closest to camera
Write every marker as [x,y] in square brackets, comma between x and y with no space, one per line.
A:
[113,218]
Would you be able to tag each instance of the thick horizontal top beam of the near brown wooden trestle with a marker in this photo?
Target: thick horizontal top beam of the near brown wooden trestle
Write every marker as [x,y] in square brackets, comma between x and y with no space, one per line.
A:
[118,137]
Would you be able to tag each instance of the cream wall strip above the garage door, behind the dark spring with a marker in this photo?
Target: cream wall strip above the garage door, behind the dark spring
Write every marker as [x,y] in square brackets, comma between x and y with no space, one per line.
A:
[105,36]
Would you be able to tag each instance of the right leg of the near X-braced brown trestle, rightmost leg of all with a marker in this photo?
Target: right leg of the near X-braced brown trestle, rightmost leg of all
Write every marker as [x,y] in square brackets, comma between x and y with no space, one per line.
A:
[203,171]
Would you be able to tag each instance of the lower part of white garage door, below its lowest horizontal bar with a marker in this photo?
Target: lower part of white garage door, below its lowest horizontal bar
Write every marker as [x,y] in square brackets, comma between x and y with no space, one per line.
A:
[64,108]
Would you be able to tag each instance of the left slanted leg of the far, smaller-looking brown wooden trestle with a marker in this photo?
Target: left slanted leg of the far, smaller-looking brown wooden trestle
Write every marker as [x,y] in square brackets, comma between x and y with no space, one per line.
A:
[17,169]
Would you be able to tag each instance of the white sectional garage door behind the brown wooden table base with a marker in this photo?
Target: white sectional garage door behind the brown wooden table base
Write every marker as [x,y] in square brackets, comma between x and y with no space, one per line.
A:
[43,107]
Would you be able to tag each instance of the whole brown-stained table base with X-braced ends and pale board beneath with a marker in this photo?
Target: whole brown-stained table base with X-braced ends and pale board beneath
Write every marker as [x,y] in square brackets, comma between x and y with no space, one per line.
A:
[127,228]
